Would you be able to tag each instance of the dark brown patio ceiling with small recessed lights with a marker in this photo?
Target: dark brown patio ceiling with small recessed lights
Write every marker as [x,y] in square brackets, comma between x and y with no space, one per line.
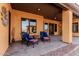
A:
[49,11]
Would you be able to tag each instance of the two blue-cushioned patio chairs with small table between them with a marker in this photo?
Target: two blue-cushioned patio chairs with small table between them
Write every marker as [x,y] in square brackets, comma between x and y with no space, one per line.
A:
[33,39]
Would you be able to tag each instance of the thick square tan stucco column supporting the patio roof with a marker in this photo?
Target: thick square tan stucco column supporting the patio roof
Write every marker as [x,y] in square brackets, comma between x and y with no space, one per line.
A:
[67,26]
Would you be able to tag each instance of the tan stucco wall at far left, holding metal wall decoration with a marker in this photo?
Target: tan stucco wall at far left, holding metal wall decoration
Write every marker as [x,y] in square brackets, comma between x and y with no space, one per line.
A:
[4,31]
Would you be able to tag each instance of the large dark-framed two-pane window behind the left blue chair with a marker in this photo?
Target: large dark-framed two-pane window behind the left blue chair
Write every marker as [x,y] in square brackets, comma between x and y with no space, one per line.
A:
[28,25]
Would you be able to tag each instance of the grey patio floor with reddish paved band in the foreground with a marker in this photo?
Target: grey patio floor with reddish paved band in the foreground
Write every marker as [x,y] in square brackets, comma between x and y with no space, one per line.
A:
[43,48]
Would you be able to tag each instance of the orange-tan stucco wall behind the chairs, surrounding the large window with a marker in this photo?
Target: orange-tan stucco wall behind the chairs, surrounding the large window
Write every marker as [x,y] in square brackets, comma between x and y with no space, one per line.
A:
[16,22]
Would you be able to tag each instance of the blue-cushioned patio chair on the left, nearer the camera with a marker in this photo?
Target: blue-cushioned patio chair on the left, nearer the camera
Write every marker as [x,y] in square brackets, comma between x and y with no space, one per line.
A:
[28,39]
